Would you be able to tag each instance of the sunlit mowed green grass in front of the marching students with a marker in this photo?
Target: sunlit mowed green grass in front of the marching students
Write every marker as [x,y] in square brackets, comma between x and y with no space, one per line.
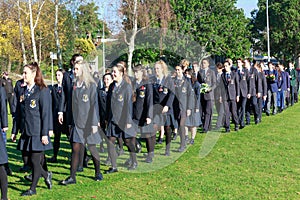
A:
[258,162]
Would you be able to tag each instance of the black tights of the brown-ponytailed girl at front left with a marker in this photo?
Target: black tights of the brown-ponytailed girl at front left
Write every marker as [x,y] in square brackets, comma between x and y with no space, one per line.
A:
[37,158]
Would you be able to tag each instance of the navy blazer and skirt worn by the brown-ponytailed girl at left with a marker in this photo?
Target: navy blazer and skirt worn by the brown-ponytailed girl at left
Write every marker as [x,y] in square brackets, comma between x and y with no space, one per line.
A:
[37,109]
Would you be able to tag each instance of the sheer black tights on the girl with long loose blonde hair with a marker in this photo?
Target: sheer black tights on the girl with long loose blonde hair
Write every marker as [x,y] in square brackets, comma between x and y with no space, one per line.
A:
[76,148]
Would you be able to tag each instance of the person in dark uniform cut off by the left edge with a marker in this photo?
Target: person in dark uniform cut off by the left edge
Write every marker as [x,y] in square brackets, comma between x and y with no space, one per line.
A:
[3,152]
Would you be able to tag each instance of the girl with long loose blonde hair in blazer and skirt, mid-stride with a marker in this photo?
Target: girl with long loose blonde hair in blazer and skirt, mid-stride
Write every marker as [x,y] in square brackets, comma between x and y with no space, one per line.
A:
[85,115]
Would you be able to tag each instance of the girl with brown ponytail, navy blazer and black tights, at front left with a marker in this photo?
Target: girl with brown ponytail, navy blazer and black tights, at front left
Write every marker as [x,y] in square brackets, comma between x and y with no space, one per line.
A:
[37,124]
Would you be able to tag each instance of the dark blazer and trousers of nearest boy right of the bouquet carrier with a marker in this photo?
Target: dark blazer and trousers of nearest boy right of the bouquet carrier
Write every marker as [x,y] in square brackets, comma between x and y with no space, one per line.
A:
[229,96]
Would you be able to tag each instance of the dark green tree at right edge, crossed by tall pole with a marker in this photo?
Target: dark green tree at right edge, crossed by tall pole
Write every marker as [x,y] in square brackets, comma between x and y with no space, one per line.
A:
[284,23]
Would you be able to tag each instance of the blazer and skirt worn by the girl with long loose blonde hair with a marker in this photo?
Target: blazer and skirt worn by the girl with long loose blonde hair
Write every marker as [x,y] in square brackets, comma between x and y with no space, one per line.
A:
[84,114]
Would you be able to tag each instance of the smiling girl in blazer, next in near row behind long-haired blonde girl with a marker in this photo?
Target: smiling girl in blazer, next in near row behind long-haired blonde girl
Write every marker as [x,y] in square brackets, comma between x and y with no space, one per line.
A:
[119,117]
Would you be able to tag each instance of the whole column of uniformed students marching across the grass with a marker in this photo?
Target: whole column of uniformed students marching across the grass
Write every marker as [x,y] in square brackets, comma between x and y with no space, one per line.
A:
[118,108]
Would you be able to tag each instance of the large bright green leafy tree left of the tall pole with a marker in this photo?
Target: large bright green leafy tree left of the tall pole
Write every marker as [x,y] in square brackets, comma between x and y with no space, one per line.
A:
[218,26]
